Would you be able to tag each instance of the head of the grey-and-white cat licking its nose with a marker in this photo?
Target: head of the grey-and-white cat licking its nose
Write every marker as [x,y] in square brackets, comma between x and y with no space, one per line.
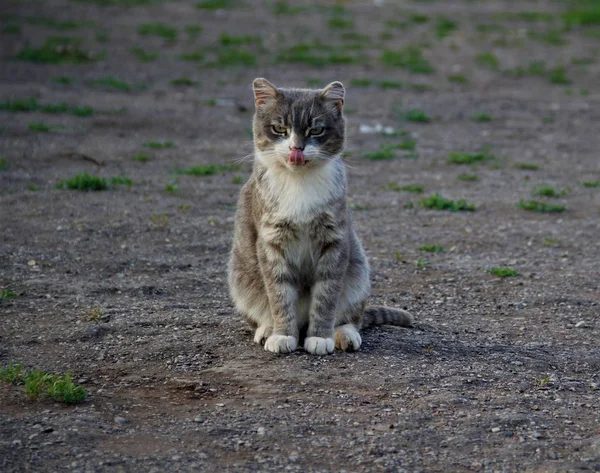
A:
[298,128]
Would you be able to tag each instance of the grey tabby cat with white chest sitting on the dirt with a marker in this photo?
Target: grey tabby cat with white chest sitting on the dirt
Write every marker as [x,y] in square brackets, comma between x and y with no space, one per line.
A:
[297,270]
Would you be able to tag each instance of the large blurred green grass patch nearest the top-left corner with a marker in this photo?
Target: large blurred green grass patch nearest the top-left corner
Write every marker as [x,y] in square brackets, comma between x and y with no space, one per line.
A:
[58,50]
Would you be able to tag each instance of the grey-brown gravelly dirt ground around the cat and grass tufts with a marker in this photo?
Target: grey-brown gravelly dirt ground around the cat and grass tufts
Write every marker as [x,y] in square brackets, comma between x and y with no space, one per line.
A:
[498,374]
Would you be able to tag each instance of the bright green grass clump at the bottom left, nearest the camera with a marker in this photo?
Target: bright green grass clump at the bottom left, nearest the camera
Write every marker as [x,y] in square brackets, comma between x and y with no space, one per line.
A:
[39,383]
